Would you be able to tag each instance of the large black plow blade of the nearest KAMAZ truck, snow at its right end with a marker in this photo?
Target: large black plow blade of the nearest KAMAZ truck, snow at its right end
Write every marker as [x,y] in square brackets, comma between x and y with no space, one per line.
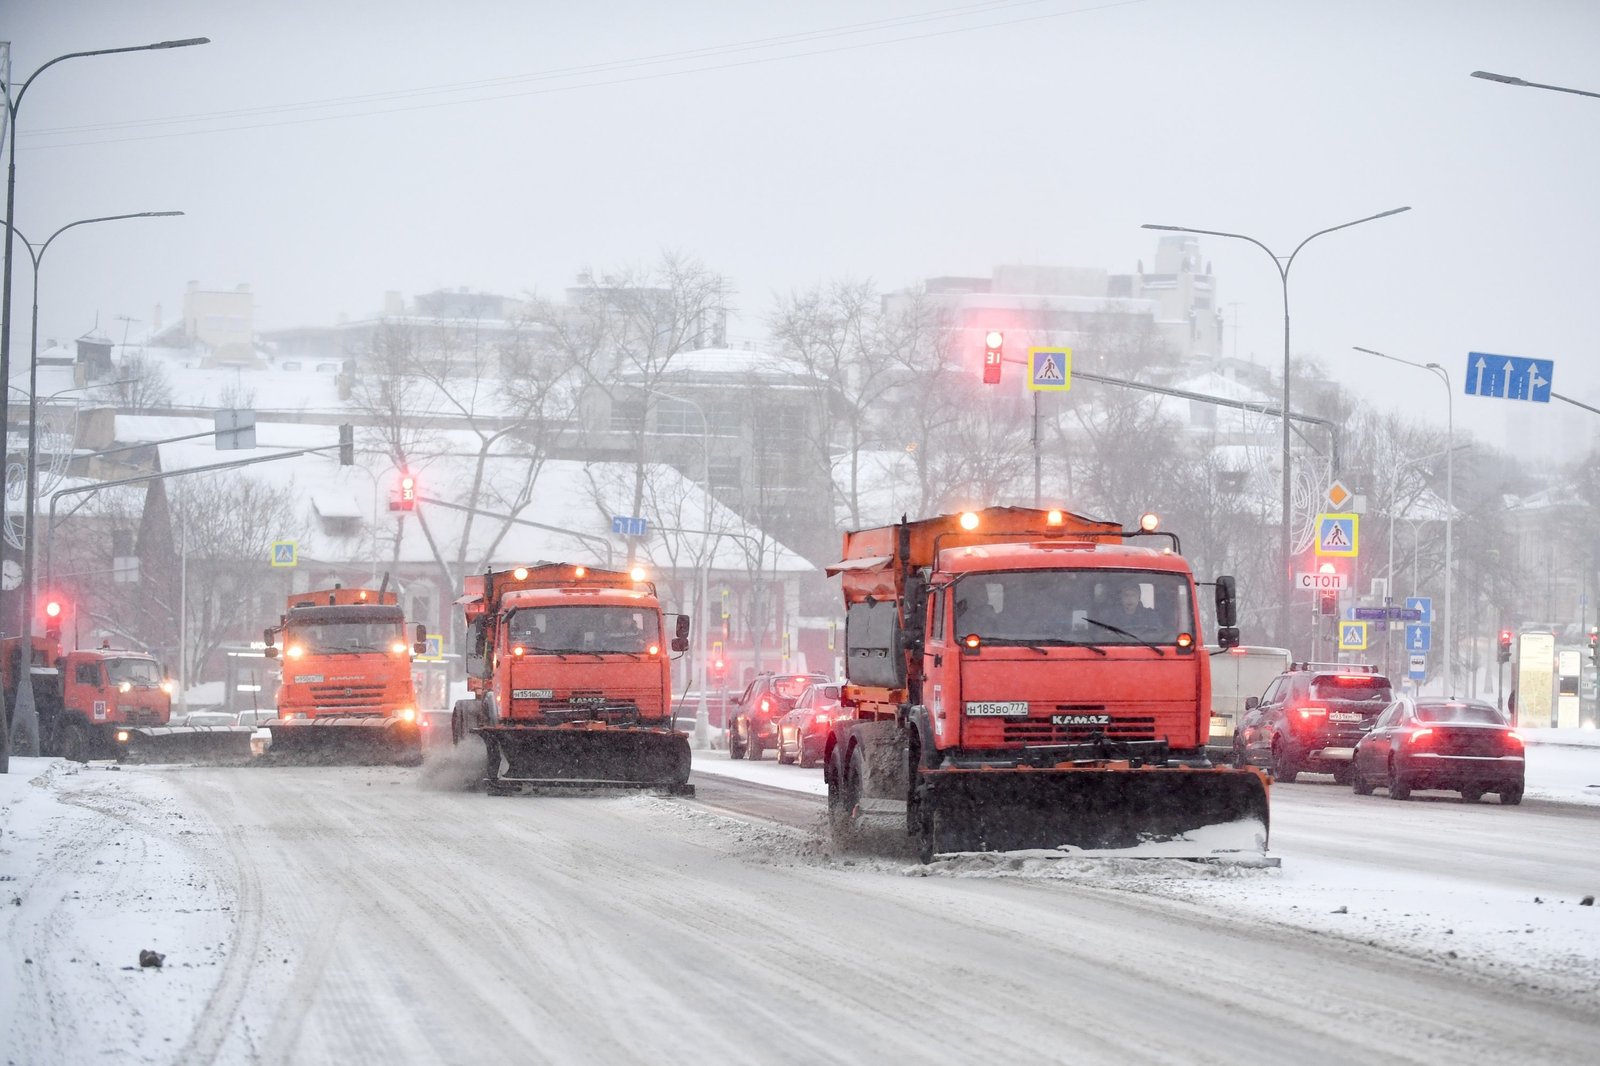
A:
[1190,812]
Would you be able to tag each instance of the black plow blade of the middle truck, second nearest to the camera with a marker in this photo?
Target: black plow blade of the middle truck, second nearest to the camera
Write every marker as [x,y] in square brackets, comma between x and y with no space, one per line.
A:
[586,756]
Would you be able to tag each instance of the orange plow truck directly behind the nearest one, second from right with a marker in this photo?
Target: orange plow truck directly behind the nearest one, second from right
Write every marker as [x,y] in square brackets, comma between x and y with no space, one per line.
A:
[570,681]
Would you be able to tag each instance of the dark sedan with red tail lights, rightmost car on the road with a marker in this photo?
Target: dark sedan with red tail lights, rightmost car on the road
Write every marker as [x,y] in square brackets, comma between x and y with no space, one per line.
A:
[1462,745]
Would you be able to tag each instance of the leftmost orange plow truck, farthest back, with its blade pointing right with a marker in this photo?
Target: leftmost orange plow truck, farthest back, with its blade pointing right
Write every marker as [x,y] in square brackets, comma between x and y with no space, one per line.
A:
[108,703]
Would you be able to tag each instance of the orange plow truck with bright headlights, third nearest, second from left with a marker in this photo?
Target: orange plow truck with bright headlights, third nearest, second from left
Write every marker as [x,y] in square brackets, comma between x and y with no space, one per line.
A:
[346,692]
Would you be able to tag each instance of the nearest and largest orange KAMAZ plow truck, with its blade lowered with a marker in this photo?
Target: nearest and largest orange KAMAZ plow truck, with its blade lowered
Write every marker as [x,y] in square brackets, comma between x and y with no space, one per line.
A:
[1033,679]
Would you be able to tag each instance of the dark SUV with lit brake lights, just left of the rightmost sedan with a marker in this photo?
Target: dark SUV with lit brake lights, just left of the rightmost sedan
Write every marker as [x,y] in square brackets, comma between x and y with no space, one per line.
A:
[1311,719]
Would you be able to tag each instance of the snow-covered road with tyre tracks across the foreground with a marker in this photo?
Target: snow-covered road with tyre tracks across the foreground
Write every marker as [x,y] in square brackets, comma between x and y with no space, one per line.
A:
[382,915]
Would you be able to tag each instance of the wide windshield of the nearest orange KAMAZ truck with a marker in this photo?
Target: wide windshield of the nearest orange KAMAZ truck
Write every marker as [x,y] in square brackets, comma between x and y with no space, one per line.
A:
[1074,607]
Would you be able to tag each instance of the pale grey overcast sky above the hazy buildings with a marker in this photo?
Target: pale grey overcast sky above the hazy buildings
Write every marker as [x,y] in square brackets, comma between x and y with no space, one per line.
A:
[1006,132]
